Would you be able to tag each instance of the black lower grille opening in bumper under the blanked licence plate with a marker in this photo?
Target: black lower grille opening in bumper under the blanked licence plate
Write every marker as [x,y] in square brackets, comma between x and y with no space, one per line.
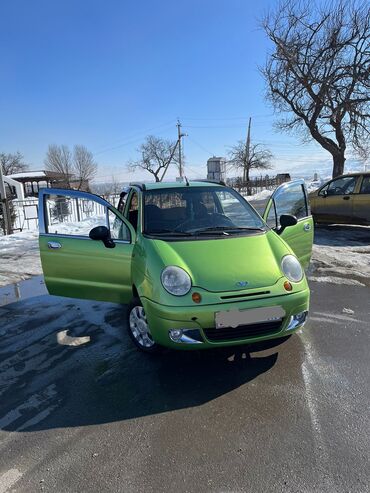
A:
[243,331]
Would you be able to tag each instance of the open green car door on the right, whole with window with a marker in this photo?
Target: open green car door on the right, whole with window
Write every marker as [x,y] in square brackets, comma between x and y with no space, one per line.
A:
[291,198]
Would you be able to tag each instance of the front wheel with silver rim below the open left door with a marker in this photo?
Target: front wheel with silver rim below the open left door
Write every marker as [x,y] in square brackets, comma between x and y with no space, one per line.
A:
[138,328]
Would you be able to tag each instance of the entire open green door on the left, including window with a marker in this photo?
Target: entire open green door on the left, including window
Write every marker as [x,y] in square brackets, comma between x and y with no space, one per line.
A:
[74,264]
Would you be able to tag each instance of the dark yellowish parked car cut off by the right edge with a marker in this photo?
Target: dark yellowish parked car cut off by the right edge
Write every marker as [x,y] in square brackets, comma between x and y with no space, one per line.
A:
[343,200]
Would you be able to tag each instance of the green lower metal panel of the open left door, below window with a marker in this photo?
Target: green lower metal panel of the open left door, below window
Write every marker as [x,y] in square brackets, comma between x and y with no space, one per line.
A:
[83,268]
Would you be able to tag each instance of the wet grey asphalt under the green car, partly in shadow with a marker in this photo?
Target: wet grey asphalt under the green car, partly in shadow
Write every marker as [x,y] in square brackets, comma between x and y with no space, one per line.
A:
[82,410]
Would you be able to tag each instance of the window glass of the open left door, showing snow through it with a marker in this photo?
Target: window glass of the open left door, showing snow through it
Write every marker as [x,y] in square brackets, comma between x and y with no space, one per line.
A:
[73,216]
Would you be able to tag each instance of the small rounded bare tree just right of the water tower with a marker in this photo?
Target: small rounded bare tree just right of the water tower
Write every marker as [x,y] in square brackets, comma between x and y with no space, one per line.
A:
[259,157]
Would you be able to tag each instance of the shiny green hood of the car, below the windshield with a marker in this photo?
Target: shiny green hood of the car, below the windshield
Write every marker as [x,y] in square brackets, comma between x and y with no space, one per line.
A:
[230,264]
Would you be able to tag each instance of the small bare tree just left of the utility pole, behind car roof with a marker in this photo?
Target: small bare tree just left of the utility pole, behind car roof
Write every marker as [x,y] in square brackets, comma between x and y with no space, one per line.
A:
[156,155]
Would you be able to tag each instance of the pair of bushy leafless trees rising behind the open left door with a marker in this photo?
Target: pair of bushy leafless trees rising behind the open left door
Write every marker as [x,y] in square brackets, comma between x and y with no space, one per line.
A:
[76,168]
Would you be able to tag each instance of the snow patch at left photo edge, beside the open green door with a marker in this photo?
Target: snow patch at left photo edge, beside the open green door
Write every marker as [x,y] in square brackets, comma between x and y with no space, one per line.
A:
[19,257]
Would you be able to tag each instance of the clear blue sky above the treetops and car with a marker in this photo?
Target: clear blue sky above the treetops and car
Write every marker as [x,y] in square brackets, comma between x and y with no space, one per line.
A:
[107,73]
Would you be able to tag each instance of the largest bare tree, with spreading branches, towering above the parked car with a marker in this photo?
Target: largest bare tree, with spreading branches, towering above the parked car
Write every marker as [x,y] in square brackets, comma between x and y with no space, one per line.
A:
[318,71]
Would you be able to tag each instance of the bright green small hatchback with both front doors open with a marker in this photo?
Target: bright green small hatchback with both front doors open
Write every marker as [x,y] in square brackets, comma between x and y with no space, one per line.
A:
[198,266]
